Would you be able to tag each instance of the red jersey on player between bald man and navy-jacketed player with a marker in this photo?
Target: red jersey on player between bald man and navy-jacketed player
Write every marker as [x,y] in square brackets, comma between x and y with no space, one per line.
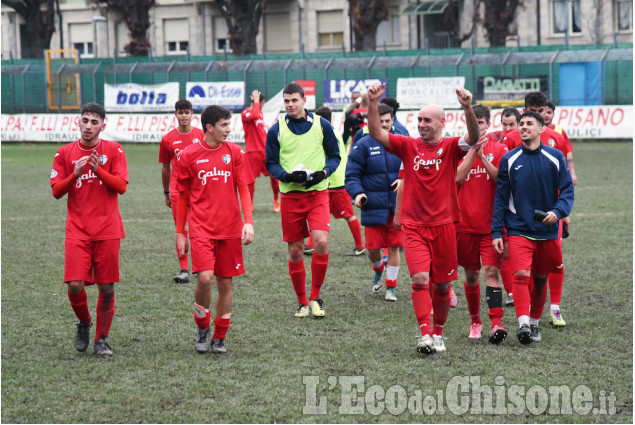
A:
[476,194]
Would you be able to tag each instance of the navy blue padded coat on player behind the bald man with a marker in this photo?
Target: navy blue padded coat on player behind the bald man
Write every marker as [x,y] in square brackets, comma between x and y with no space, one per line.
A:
[371,170]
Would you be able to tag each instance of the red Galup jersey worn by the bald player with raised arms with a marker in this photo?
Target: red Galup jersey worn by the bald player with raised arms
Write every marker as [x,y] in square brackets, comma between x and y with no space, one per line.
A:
[429,188]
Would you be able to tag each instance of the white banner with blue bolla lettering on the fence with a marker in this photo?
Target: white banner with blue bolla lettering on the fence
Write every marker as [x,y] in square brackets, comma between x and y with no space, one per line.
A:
[140,97]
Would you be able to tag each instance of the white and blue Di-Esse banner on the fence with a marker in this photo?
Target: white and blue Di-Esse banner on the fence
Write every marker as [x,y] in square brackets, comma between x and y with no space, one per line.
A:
[228,94]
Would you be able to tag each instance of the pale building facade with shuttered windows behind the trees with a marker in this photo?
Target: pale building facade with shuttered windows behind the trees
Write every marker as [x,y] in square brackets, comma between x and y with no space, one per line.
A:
[292,26]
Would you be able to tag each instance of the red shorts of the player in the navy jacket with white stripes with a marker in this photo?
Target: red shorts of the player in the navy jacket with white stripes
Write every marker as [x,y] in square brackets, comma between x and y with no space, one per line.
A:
[541,257]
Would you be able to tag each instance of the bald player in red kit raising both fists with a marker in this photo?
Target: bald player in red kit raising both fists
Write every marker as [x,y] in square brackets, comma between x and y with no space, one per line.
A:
[429,207]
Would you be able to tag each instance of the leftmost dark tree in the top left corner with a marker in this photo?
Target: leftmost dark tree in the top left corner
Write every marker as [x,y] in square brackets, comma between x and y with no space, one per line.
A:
[39,18]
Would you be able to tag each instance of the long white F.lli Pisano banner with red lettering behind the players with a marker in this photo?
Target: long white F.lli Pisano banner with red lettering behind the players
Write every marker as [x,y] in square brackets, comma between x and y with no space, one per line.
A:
[580,122]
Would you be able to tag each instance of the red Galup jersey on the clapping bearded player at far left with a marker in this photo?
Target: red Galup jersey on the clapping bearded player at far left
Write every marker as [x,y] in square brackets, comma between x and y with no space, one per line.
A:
[93,209]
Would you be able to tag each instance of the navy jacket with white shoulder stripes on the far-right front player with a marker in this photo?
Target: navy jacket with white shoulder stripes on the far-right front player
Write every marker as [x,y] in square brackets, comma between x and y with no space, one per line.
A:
[527,181]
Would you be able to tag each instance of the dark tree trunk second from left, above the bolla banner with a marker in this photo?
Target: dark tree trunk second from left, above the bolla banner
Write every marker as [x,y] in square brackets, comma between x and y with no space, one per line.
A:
[136,14]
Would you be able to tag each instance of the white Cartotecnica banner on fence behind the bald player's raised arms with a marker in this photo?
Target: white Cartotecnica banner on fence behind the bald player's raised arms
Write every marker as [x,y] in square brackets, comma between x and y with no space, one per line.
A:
[413,93]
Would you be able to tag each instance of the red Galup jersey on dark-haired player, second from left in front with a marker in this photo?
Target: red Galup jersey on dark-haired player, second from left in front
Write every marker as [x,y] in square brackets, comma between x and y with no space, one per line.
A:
[212,175]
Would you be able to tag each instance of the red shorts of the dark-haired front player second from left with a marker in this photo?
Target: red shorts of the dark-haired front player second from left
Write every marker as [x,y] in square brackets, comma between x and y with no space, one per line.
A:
[223,256]
